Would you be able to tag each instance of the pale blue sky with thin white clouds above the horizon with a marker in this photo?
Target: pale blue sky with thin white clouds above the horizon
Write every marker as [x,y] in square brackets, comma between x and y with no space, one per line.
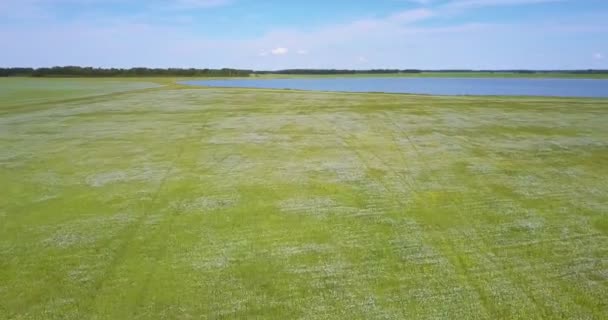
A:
[281,34]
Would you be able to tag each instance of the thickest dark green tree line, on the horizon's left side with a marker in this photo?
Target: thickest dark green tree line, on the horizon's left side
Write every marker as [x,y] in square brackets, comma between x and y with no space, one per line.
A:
[74,71]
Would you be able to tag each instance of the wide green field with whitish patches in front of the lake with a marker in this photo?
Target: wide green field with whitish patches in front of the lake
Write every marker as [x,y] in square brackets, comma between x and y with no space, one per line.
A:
[124,199]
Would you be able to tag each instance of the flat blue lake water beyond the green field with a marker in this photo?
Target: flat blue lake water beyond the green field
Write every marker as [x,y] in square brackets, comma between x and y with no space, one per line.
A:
[434,86]
